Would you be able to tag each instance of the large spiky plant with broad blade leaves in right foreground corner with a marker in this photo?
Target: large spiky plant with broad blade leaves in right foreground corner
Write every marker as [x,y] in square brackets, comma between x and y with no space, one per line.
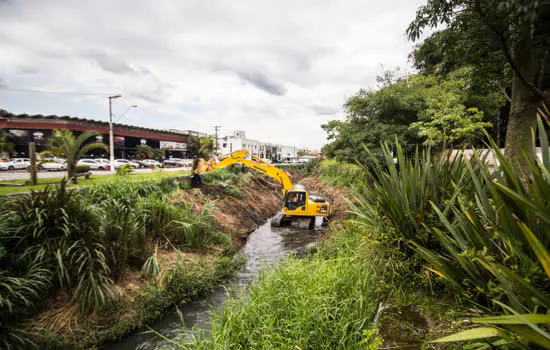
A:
[495,248]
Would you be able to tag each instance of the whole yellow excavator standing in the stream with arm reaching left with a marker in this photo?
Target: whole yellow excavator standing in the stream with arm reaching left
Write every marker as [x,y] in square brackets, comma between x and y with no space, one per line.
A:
[297,201]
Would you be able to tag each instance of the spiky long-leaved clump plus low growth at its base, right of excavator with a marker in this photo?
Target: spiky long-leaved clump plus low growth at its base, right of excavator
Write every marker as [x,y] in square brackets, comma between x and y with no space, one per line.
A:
[393,206]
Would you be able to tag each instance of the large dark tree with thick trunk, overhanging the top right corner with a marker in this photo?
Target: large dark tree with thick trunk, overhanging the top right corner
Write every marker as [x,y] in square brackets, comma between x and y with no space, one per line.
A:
[520,29]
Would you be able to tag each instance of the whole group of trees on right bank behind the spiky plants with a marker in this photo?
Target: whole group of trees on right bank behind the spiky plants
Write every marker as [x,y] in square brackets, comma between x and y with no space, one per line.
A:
[470,78]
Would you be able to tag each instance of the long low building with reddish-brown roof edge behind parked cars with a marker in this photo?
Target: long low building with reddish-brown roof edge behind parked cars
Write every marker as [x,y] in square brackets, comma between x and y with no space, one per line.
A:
[24,128]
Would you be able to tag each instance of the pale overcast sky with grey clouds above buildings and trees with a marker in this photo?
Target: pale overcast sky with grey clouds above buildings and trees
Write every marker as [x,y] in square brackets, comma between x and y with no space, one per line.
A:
[276,69]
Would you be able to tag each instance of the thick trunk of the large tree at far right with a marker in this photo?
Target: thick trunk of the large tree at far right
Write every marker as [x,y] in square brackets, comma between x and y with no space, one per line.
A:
[523,107]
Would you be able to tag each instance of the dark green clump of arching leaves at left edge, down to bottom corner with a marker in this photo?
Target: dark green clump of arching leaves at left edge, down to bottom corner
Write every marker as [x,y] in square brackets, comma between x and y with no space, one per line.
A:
[50,240]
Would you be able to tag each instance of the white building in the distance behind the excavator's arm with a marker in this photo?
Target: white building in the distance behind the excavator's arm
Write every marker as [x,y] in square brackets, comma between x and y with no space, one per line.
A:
[239,141]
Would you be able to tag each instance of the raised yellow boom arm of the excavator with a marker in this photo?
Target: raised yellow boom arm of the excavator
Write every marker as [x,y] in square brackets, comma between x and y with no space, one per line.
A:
[251,161]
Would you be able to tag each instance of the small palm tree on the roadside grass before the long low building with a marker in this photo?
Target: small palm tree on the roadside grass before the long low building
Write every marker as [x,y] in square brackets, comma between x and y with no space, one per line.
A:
[63,142]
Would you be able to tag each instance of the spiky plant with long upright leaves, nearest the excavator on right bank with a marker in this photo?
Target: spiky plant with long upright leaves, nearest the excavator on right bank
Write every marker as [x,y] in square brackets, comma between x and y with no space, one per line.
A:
[394,200]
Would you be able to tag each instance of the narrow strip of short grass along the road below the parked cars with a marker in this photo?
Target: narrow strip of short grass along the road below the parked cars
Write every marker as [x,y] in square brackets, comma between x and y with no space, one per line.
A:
[83,182]
